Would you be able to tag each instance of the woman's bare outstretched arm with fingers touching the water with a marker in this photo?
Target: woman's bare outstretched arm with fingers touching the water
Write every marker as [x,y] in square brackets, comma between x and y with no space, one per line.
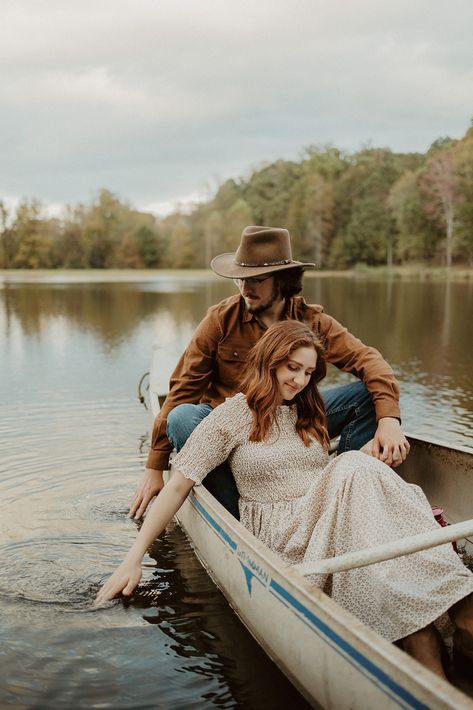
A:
[128,574]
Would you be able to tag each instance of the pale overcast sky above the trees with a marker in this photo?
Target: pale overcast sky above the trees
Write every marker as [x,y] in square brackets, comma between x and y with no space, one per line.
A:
[162,100]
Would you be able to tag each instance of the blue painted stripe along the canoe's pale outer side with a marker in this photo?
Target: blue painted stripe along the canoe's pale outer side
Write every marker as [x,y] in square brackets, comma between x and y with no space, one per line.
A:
[336,639]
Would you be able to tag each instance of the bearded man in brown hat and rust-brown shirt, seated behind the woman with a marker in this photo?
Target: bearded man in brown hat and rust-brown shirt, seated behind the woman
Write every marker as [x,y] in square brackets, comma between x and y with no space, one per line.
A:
[364,413]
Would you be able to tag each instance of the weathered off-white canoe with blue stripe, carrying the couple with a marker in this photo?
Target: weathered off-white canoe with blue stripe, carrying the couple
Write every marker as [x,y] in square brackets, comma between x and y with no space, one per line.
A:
[333,659]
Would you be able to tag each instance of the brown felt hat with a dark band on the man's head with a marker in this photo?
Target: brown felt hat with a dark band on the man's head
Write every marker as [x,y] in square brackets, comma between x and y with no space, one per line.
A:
[261,251]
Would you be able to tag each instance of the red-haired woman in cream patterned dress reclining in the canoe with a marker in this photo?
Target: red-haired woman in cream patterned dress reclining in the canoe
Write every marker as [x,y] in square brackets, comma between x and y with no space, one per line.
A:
[305,508]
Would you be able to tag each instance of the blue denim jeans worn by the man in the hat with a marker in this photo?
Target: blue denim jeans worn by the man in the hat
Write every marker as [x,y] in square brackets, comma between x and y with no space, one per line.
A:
[350,414]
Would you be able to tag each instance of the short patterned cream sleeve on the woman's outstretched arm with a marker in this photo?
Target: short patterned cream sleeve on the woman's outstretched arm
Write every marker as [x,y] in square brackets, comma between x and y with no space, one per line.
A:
[213,440]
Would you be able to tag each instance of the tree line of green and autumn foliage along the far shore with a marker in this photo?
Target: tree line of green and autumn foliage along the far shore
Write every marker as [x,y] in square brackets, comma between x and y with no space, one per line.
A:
[374,207]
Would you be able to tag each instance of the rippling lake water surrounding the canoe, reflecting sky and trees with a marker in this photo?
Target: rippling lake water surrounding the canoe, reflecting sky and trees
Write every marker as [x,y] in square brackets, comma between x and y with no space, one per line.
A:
[73,442]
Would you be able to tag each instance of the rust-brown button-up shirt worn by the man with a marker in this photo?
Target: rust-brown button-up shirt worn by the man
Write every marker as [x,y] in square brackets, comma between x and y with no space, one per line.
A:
[210,367]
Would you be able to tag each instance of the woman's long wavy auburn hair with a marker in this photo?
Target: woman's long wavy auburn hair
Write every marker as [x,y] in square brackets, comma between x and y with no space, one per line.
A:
[261,388]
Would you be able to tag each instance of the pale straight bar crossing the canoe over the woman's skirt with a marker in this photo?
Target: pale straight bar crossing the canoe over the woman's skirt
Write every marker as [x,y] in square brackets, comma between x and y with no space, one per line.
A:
[388,550]
